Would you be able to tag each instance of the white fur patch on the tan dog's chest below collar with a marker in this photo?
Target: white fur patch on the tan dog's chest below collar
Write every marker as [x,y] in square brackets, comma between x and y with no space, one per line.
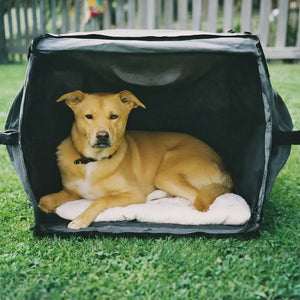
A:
[88,188]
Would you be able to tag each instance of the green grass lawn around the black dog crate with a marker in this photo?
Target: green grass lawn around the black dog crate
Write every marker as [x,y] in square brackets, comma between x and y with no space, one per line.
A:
[265,267]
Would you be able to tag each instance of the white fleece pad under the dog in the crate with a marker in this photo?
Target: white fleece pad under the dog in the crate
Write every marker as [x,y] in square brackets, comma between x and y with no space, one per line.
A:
[227,209]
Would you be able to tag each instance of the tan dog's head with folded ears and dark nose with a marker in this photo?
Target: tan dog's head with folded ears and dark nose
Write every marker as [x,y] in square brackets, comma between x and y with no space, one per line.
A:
[101,118]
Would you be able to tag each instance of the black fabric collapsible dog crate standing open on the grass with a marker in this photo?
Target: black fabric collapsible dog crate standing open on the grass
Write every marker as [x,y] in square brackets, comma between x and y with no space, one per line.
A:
[213,86]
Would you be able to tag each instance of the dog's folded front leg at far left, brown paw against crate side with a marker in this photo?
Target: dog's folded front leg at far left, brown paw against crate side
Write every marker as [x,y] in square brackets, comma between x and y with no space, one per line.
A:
[50,202]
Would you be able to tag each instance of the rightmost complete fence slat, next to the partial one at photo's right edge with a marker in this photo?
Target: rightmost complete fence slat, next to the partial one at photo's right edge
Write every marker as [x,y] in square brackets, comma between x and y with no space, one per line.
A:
[282,23]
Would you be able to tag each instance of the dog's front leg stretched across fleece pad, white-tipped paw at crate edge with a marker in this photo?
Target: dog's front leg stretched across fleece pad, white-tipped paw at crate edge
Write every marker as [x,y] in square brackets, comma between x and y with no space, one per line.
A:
[103,203]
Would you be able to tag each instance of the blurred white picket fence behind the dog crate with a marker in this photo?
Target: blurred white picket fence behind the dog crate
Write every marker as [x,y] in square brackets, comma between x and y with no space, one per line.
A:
[278,26]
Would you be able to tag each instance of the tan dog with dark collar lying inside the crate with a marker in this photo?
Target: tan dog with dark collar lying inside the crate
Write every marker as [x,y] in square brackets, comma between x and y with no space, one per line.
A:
[100,162]
